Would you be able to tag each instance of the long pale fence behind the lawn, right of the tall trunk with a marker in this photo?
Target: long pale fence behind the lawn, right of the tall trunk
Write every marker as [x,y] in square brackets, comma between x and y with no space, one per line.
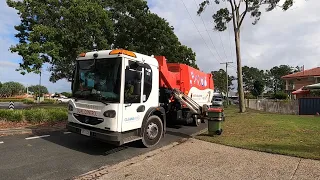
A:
[274,106]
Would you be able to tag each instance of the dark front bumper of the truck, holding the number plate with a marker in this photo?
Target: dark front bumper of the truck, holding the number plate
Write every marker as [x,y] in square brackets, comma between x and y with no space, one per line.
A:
[116,138]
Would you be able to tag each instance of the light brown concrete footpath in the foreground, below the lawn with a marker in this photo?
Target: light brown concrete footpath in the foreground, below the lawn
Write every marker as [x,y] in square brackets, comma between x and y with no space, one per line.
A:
[195,159]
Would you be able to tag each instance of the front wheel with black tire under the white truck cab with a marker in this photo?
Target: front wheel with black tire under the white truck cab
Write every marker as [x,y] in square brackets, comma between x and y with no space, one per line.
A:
[152,137]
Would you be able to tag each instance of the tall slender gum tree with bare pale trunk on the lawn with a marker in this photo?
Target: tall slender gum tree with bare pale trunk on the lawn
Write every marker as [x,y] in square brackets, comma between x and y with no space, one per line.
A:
[224,16]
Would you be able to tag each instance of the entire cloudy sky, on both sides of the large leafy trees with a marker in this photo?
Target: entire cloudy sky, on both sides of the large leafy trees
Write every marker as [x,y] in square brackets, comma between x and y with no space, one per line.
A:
[291,38]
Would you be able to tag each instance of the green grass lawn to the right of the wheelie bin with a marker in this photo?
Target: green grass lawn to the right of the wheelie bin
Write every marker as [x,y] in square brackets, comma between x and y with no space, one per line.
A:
[282,134]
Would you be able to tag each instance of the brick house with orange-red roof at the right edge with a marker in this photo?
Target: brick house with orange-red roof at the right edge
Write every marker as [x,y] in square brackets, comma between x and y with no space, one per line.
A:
[296,82]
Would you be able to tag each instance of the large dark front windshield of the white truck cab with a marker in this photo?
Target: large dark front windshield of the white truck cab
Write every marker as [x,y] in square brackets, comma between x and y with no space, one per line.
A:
[98,80]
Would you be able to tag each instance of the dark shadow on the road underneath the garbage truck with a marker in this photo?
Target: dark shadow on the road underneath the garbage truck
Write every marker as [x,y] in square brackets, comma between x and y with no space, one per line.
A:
[92,146]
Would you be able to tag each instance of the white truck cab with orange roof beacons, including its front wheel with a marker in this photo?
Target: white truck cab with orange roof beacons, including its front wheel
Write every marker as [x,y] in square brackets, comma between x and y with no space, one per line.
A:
[116,98]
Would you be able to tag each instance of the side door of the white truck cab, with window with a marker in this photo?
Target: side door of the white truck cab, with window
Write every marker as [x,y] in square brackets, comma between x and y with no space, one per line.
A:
[133,108]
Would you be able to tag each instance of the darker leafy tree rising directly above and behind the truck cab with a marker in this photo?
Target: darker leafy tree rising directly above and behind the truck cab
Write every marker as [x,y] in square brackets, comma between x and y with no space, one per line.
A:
[137,29]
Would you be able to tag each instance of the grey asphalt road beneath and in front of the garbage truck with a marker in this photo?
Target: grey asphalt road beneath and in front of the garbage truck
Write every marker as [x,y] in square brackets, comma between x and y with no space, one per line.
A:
[63,155]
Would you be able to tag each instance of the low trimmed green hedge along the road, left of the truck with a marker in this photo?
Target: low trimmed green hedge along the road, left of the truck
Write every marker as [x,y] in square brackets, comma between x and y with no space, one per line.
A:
[34,116]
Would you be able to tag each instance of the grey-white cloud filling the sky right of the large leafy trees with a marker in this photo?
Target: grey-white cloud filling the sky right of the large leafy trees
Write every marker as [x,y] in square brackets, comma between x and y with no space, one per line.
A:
[290,37]
